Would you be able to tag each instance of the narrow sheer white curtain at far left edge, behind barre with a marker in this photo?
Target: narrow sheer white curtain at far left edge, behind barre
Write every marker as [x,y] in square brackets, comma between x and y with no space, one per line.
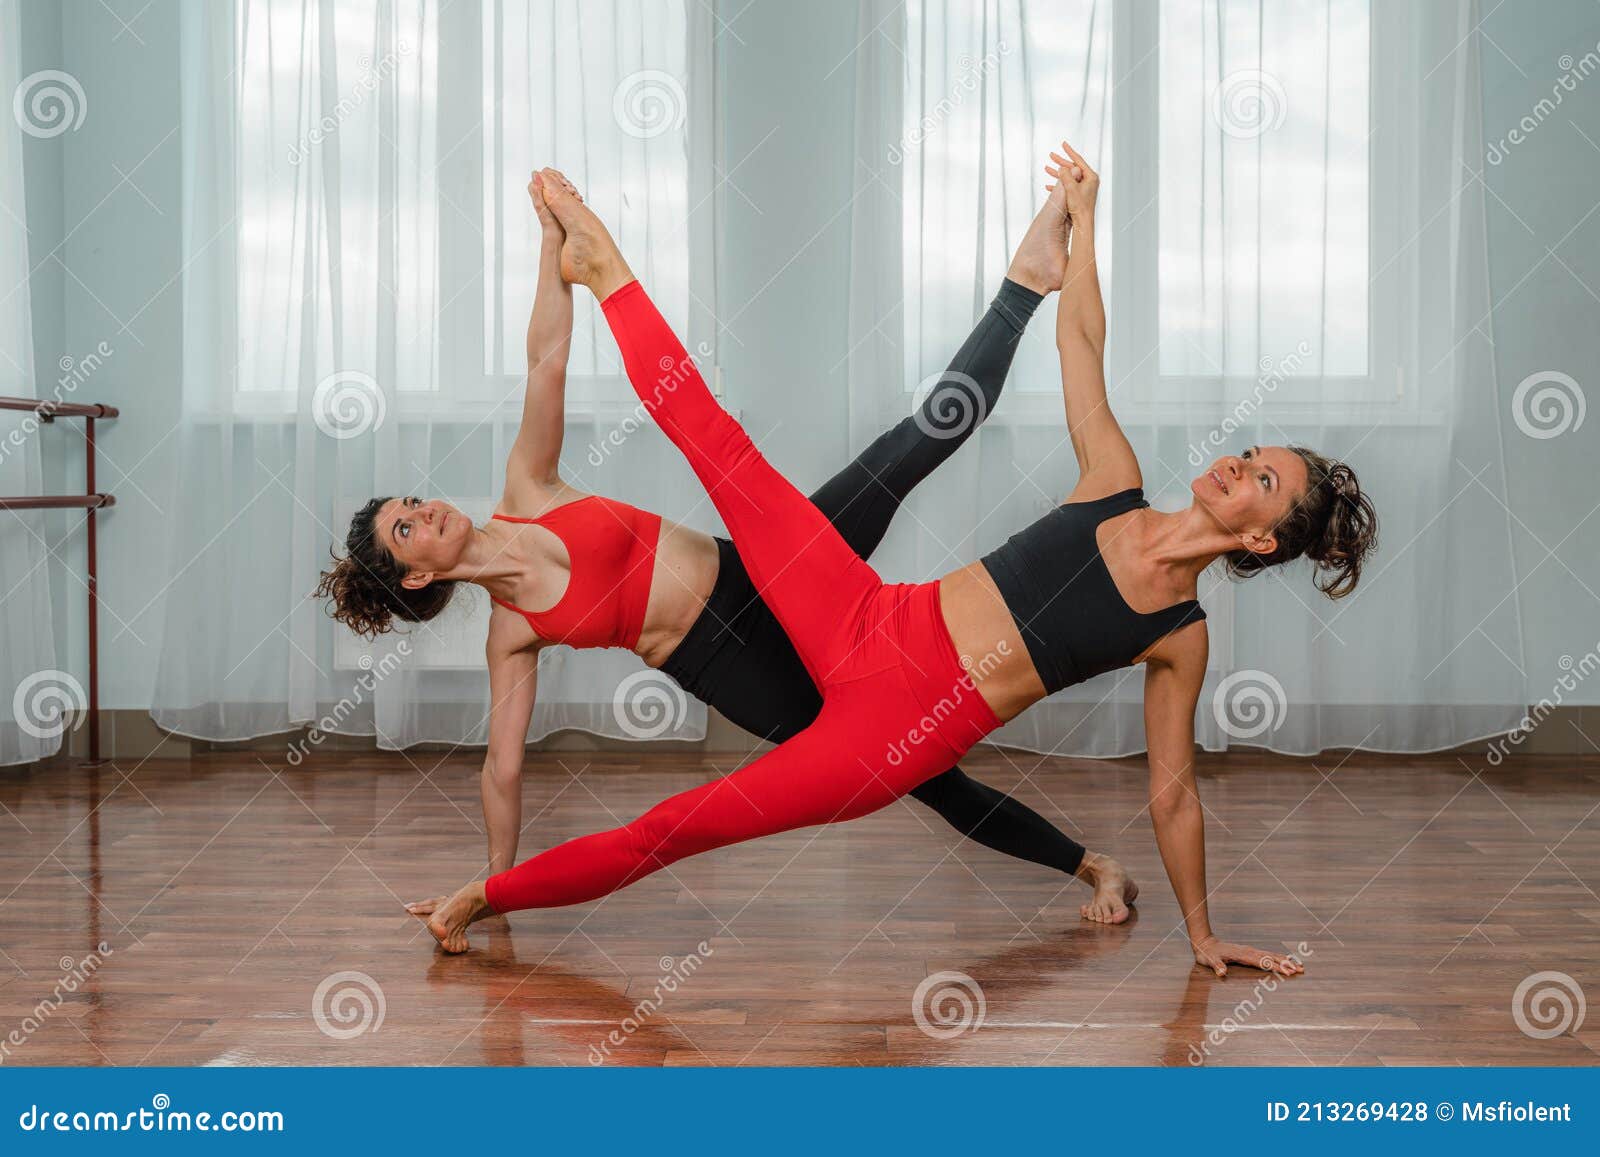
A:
[34,691]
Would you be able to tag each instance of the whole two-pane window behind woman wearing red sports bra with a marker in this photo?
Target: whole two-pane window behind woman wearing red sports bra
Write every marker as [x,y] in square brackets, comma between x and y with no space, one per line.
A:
[383,153]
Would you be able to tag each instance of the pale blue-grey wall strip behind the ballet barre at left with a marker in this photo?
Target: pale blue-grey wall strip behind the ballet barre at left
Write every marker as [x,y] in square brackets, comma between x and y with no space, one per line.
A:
[108,255]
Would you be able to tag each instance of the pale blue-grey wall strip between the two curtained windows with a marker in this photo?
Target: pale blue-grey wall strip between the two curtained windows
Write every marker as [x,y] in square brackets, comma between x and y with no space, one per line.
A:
[788,84]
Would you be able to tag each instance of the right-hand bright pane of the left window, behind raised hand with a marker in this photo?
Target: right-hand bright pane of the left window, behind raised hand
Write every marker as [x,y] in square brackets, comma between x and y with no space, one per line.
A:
[599,92]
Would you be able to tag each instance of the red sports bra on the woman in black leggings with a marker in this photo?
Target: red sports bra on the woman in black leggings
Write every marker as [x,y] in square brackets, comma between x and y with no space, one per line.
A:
[612,548]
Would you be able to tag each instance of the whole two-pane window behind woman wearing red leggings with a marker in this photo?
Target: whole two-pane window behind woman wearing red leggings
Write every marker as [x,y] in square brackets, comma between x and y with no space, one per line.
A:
[1250,218]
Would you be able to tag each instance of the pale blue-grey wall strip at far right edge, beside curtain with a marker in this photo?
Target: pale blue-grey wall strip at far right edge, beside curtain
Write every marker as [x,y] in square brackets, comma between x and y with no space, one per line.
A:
[1548,316]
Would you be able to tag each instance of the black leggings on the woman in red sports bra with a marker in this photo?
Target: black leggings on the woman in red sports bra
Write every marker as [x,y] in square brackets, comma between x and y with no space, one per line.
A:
[738,659]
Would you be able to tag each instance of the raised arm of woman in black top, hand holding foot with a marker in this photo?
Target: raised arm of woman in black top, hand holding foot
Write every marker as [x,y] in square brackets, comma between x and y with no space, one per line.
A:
[1106,462]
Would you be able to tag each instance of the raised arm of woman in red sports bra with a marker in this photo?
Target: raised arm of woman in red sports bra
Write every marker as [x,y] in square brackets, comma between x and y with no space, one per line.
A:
[538,449]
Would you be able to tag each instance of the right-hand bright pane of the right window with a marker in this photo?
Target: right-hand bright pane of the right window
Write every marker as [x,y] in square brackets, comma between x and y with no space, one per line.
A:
[1265,188]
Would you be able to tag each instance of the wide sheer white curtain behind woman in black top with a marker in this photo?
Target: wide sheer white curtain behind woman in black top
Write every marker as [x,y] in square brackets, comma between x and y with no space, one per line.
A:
[1294,250]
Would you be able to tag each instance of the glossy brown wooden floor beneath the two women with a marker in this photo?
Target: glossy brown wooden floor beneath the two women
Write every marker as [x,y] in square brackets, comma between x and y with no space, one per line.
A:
[228,892]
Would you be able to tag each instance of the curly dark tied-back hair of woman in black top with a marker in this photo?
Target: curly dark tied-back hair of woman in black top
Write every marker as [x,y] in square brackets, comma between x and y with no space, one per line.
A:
[1334,524]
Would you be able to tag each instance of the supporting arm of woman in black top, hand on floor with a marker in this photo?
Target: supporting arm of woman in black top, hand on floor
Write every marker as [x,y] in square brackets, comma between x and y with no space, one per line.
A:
[1172,687]
